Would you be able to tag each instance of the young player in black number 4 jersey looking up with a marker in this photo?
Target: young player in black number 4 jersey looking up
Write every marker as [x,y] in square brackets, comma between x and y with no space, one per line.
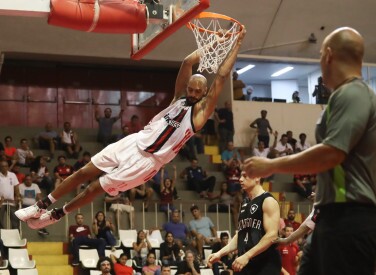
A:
[258,225]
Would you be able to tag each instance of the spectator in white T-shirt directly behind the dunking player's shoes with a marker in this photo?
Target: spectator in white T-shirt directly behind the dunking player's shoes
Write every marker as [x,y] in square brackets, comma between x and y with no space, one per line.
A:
[30,194]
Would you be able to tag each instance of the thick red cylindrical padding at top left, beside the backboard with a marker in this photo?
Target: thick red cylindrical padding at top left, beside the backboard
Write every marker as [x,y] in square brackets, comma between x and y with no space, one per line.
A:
[126,16]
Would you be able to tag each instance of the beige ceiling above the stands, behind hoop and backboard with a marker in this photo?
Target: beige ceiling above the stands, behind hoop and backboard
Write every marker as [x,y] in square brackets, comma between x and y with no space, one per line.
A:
[274,28]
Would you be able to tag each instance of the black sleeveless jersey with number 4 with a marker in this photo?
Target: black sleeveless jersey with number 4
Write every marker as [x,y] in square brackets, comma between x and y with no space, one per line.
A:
[250,225]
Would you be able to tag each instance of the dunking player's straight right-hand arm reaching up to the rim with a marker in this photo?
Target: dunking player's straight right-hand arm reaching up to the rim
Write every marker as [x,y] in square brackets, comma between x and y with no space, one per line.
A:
[208,103]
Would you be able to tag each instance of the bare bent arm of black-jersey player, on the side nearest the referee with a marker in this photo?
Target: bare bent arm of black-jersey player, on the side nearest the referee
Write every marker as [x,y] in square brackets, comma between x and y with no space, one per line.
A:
[271,216]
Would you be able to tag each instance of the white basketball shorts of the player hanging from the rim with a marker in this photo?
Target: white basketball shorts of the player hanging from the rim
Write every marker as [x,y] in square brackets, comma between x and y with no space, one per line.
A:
[125,165]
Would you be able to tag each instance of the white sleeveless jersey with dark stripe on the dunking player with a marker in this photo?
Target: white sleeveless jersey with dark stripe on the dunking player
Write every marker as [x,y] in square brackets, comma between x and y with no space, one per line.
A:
[168,131]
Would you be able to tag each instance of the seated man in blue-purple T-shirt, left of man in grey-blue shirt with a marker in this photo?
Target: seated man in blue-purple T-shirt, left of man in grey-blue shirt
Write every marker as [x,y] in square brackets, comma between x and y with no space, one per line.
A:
[178,229]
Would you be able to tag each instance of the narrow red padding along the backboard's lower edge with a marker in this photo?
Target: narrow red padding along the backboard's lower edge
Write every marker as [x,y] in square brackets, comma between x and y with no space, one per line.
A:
[203,5]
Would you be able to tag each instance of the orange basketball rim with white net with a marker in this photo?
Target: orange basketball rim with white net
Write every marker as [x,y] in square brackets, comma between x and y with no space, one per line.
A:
[215,35]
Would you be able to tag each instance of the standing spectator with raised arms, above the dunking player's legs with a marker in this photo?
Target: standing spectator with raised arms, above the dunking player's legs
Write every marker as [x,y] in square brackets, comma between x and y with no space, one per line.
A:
[105,125]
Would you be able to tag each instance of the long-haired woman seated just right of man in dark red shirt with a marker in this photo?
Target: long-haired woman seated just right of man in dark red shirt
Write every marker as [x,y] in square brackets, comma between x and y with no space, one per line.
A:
[103,228]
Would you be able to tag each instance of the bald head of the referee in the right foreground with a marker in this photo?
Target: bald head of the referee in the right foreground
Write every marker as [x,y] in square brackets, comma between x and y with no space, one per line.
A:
[347,44]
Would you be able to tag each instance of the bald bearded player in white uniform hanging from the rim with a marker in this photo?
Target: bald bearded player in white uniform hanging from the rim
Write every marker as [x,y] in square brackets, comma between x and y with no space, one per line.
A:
[135,159]
